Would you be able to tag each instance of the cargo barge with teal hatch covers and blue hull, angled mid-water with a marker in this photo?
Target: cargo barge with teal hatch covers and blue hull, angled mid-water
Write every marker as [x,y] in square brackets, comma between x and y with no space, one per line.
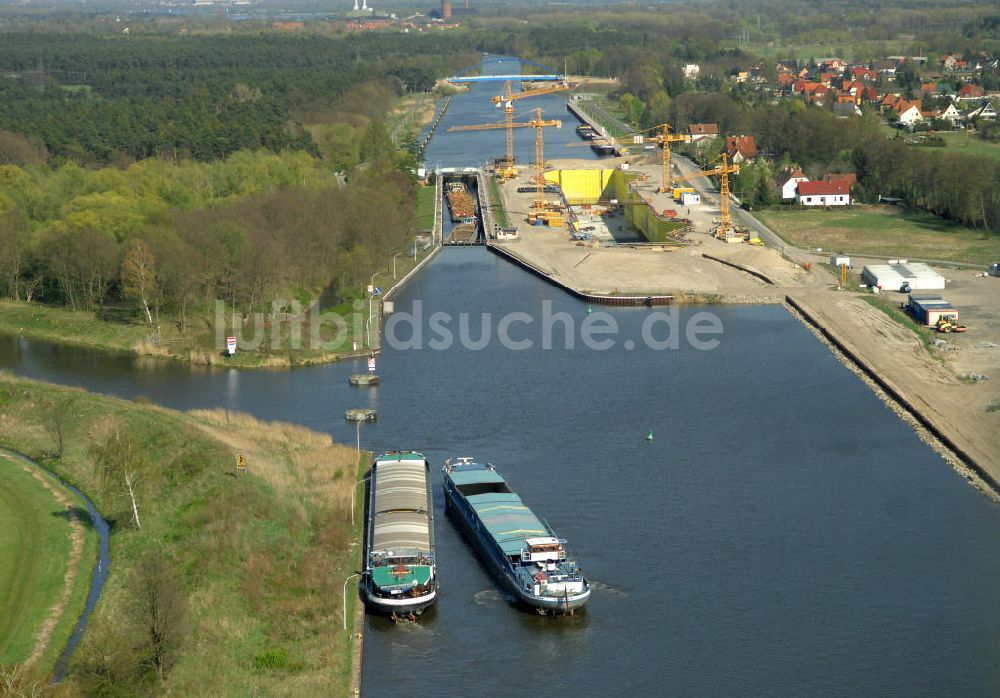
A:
[521,551]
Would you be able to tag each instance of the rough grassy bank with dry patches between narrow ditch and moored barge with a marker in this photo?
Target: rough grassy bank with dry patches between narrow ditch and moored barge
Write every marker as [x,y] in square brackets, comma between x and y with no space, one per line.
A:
[259,559]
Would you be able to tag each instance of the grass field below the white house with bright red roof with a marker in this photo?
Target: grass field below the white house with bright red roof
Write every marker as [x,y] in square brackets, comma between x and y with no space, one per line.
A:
[883,231]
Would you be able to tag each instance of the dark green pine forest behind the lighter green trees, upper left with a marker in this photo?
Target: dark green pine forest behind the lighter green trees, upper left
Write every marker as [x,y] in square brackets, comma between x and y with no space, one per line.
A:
[97,99]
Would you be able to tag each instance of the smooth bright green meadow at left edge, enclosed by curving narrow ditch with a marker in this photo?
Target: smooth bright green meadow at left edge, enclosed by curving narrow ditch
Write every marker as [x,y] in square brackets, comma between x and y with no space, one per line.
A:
[35,552]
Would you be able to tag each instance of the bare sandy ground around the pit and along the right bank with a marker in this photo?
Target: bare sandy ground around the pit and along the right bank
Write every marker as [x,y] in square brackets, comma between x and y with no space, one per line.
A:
[936,383]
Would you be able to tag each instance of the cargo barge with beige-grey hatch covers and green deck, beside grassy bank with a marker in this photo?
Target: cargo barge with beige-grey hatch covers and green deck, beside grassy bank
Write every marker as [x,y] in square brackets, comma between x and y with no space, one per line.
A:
[400,576]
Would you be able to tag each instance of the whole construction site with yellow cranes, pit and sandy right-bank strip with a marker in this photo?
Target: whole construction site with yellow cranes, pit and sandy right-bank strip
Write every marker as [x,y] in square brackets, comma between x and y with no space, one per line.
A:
[643,224]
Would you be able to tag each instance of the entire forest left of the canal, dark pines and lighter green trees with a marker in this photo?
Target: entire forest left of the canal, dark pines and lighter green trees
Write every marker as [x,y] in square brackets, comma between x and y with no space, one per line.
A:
[195,168]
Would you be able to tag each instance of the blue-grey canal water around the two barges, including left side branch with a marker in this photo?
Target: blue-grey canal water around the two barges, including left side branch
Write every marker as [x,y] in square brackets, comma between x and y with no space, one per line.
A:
[784,533]
